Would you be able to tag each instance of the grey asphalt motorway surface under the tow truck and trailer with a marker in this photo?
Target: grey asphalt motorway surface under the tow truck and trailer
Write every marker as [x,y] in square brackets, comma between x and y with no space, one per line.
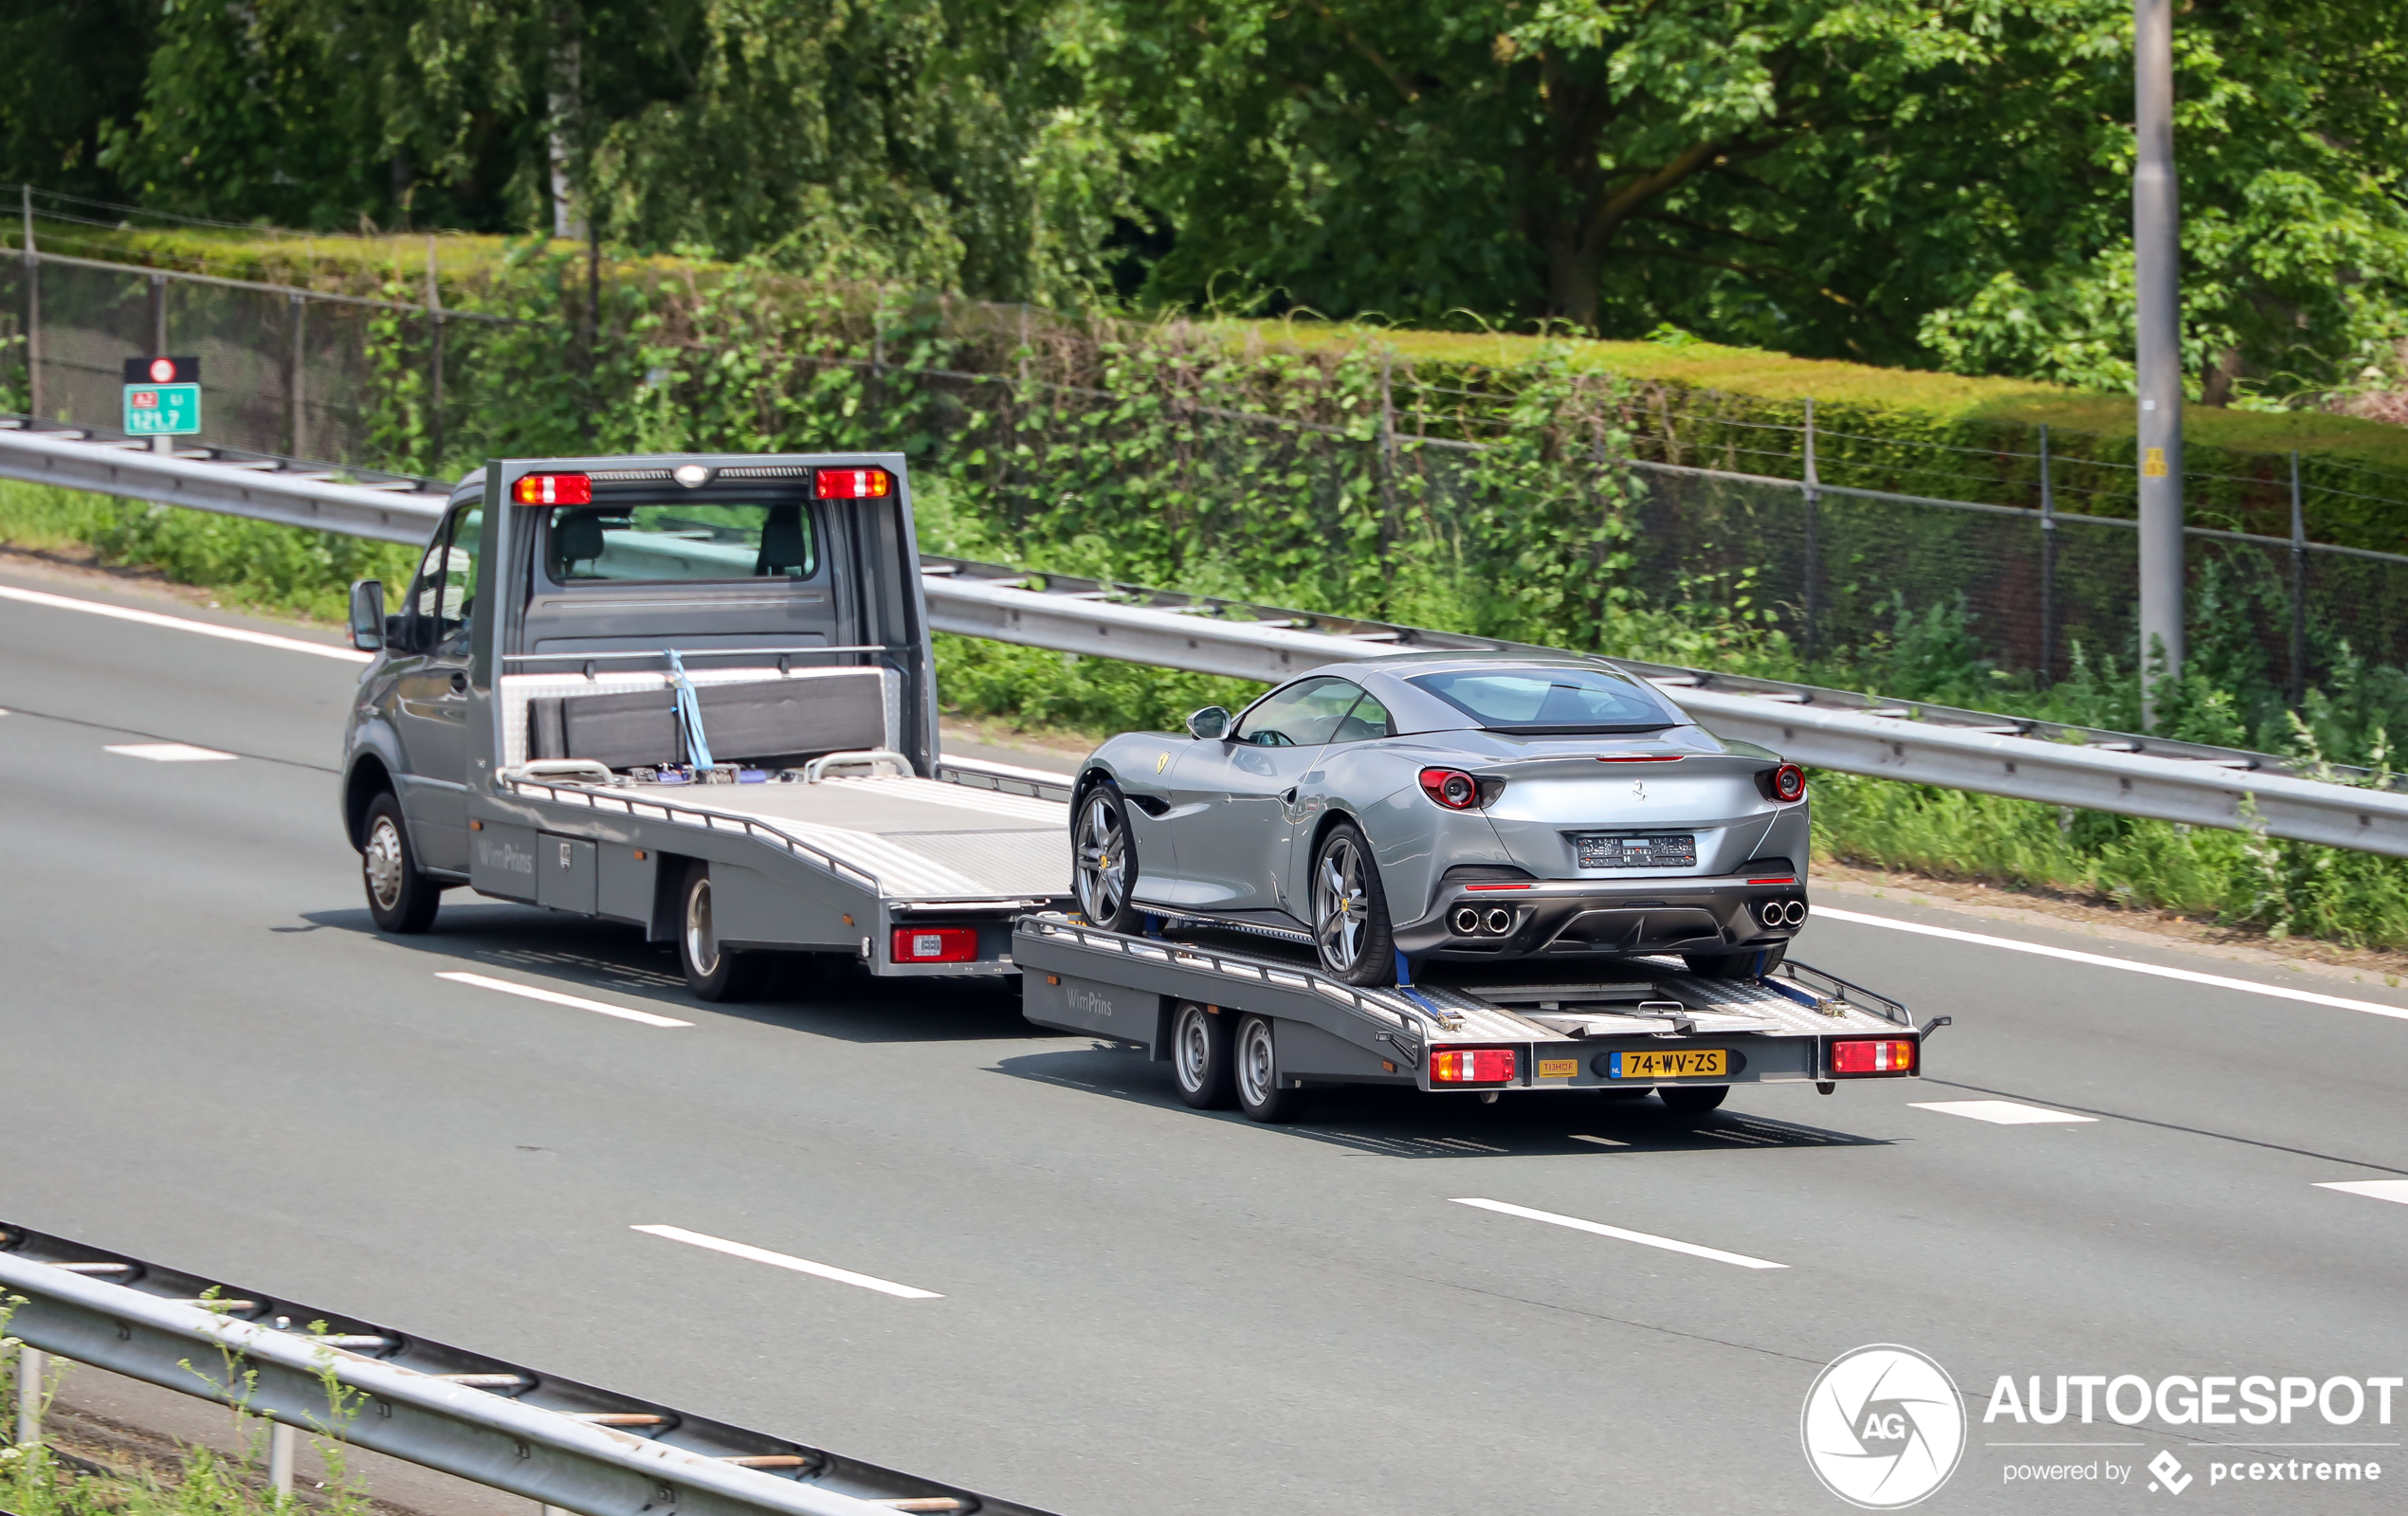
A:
[213,1060]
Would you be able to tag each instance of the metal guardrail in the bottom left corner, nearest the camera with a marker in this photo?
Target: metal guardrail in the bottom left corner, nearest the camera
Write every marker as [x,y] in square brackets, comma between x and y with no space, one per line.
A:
[480,1419]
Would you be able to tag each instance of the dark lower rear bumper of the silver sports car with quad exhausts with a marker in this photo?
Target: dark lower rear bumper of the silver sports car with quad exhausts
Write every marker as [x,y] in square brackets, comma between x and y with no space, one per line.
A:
[1605,918]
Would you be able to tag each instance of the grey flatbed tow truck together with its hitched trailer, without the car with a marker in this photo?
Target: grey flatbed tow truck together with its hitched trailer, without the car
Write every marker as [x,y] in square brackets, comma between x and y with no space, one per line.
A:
[695,694]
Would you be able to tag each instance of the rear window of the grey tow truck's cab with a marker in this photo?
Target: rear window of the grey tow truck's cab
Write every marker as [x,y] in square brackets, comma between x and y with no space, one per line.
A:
[680,543]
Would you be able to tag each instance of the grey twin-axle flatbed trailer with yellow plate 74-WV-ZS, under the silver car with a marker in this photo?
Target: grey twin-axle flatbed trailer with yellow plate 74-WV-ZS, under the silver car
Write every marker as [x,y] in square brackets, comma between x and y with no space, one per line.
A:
[1249,1024]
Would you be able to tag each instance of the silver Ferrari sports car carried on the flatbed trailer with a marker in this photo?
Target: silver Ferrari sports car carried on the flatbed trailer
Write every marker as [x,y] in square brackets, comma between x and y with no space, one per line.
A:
[1456,807]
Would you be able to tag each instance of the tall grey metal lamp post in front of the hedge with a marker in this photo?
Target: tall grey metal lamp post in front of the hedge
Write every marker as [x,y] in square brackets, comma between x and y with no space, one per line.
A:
[2156,244]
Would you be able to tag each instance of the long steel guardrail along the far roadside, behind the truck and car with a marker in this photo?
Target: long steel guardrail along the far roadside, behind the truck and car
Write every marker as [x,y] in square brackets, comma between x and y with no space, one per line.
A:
[1839,730]
